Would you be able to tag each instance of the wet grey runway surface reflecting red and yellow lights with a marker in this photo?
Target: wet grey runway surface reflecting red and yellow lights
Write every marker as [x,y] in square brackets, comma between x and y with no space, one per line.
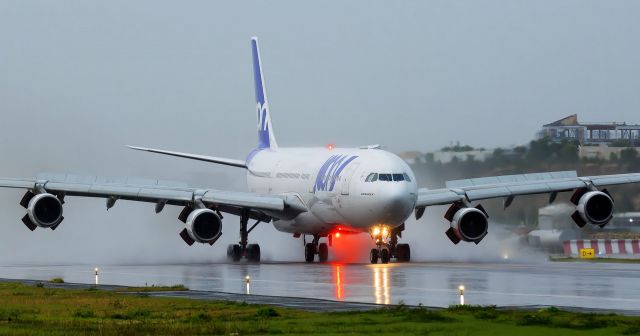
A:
[612,287]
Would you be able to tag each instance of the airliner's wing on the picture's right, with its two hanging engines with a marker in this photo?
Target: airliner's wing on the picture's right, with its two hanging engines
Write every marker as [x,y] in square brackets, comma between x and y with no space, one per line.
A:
[469,223]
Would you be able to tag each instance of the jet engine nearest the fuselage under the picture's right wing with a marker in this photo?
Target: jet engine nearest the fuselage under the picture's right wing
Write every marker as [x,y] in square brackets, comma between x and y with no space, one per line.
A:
[467,224]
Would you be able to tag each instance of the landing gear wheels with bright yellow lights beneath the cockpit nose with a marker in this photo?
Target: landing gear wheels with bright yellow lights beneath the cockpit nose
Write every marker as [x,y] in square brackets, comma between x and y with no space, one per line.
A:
[387,246]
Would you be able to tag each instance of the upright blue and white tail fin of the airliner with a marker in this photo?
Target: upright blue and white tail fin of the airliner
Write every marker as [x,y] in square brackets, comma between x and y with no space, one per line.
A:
[266,139]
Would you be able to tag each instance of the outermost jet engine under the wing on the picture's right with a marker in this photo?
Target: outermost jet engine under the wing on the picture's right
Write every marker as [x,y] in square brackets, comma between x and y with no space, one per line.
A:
[593,207]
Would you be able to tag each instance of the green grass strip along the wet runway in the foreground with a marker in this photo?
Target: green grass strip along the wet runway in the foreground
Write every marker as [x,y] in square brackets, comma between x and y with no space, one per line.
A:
[33,310]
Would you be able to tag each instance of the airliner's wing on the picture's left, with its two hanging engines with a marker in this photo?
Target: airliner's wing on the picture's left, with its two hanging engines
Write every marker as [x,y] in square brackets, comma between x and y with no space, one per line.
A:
[46,195]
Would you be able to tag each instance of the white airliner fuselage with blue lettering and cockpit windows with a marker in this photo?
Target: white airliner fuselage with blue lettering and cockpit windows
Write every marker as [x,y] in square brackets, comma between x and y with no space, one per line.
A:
[337,186]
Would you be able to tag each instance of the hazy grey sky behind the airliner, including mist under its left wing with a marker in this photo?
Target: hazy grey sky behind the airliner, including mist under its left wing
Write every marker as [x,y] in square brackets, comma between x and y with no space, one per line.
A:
[80,79]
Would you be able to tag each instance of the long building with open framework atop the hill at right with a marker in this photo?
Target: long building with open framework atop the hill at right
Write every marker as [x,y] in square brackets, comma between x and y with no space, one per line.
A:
[601,133]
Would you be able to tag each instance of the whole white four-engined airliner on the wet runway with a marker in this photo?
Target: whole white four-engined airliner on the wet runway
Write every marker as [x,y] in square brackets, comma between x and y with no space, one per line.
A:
[318,192]
